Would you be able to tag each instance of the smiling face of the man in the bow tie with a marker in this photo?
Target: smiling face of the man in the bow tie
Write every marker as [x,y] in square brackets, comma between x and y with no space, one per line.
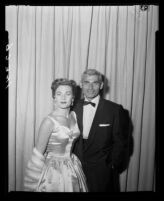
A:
[91,86]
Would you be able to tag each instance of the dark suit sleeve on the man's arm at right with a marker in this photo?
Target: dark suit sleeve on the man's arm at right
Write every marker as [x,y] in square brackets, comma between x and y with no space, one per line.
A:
[120,136]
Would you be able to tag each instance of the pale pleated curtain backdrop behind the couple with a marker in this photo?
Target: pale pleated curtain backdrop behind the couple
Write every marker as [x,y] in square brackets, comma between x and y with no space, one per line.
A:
[48,42]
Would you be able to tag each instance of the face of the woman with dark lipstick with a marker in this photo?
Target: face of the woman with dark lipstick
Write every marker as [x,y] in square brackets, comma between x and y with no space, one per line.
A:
[63,96]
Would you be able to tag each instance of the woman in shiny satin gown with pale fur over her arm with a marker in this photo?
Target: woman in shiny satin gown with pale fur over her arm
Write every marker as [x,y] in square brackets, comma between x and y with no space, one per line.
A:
[52,167]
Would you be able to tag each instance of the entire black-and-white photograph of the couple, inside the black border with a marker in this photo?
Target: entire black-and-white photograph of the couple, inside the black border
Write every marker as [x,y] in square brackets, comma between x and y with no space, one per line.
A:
[82,98]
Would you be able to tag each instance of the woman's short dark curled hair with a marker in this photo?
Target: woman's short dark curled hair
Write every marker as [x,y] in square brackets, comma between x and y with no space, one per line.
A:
[63,81]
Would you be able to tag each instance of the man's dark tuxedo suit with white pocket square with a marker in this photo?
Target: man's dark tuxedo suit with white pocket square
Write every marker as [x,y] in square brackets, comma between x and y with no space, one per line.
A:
[100,155]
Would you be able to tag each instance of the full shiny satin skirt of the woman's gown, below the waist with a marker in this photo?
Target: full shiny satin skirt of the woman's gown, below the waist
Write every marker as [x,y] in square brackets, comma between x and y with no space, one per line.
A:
[62,174]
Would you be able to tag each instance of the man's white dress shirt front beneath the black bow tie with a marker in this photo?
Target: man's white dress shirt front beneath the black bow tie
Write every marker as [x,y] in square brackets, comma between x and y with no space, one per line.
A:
[88,116]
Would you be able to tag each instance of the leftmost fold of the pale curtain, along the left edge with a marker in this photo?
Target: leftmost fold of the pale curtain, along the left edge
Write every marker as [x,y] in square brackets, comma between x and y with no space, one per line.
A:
[12,29]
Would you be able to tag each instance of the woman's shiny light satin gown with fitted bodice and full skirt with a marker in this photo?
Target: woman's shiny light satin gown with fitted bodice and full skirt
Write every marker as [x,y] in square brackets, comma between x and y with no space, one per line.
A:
[62,170]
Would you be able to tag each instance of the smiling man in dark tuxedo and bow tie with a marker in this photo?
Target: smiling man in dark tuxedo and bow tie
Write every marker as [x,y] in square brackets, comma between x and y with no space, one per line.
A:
[102,140]
